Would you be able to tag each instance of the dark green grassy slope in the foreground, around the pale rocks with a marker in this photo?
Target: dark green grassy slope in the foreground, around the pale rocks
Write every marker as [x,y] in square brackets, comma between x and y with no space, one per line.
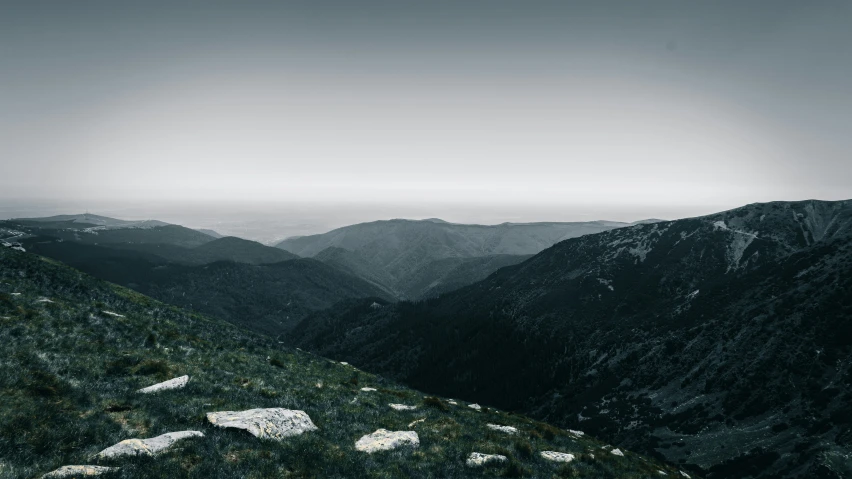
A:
[68,373]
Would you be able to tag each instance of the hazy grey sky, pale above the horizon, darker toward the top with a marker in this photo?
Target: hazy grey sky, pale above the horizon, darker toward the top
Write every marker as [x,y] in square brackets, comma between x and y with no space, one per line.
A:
[475,111]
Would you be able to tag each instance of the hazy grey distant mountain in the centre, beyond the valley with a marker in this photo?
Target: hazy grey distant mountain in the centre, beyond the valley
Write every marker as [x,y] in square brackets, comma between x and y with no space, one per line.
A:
[418,259]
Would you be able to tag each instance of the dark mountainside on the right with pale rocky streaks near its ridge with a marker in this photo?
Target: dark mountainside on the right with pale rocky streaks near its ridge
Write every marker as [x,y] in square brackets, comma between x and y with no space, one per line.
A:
[722,343]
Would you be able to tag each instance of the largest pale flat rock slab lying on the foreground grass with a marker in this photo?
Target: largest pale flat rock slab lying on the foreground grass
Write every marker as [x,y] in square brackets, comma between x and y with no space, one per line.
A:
[272,423]
